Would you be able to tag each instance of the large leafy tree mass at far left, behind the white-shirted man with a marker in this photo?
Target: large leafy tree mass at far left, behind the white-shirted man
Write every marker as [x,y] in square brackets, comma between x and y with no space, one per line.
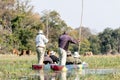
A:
[18,25]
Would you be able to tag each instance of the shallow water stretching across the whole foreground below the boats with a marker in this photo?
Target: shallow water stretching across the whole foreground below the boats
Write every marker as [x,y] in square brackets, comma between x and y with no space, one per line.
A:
[73,74]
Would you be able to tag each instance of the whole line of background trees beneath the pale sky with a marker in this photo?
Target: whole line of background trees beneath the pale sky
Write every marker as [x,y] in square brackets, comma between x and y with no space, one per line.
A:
[19,26]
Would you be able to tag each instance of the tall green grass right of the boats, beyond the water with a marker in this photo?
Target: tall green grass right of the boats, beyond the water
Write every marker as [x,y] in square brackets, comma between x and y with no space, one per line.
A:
[106,61]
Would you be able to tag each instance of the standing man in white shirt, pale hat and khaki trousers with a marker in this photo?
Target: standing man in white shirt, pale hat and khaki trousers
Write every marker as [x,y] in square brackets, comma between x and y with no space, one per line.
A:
[41,41]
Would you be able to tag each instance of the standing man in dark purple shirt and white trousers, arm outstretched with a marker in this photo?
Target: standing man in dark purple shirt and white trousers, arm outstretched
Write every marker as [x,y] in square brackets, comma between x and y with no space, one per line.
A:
[63,44]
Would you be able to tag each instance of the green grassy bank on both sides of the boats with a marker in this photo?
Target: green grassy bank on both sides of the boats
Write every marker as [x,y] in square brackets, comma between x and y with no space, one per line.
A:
[12,67]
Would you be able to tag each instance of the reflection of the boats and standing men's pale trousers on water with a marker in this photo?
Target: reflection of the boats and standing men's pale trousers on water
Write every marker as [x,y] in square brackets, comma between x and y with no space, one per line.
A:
[55,75]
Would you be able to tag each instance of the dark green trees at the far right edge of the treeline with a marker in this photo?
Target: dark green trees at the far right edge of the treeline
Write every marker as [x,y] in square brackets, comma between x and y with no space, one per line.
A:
[109,40]
